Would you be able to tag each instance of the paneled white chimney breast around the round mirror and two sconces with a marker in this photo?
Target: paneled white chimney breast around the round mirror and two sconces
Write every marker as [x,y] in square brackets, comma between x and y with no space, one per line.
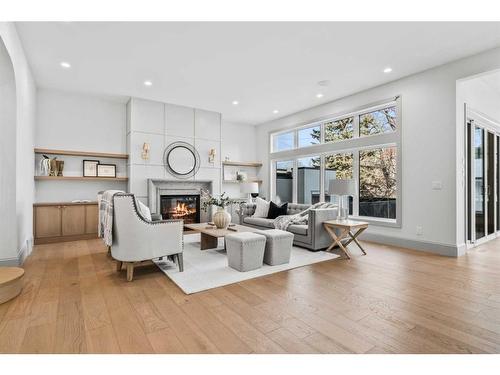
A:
[160,124]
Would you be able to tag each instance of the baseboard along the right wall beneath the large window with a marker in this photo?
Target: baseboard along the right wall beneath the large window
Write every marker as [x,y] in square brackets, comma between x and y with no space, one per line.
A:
[426,246]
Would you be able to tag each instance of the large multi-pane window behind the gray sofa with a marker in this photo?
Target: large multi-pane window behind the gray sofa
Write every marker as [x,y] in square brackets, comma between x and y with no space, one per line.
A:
[363,145]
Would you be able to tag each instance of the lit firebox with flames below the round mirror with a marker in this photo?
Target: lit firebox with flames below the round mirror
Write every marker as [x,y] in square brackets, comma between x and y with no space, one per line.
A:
[184,207]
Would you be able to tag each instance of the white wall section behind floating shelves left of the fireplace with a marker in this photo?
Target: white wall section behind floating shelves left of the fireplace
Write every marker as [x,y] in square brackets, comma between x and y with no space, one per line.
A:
[72,121]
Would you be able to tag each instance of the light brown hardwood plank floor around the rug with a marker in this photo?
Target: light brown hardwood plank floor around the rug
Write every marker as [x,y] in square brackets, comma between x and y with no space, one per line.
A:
[390,301]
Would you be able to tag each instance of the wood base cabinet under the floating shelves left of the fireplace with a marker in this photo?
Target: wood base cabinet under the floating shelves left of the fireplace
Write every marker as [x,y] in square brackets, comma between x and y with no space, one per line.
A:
[58,222]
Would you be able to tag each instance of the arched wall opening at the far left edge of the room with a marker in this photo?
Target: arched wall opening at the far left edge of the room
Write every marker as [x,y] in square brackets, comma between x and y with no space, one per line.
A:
[8,223]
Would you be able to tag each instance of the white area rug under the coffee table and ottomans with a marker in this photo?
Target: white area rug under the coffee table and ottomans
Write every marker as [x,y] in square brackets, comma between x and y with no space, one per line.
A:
[208,269]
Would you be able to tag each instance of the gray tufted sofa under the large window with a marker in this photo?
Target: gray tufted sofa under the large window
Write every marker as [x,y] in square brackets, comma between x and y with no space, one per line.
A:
[312,236]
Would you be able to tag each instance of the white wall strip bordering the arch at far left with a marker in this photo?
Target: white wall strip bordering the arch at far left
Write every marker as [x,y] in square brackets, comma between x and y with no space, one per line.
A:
[25,125]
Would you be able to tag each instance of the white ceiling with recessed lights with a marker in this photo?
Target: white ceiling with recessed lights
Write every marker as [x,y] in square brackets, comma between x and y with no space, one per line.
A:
[265,66]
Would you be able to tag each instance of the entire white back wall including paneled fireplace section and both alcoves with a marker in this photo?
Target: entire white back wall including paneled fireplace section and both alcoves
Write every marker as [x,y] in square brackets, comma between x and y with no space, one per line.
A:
[77,121]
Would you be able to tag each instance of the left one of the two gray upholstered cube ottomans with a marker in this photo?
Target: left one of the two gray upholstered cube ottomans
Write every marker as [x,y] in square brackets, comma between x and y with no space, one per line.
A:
[245,250]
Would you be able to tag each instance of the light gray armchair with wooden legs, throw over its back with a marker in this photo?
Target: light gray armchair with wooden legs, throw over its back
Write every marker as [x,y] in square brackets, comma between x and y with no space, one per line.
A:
[136,239]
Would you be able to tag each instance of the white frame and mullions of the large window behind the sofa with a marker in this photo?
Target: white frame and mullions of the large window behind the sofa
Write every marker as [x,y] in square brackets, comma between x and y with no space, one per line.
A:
[353,145]
